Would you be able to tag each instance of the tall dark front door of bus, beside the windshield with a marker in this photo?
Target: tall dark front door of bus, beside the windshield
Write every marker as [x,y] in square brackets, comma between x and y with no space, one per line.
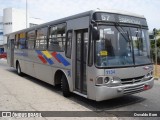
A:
[81,37]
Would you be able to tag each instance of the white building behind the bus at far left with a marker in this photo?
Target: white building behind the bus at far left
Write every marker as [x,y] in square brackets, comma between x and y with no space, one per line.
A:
[13,20]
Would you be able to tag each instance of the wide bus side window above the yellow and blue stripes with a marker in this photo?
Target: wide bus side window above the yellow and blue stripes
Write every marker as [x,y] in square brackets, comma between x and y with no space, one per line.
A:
[57,38]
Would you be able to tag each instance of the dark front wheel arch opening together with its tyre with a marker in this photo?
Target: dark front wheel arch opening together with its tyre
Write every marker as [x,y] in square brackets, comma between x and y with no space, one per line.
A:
[60,78]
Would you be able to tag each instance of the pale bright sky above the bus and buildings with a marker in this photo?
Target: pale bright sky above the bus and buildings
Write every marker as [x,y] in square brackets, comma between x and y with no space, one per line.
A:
[49,10]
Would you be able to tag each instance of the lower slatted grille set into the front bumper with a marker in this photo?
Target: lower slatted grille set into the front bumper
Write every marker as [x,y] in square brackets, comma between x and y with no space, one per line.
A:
[133,89]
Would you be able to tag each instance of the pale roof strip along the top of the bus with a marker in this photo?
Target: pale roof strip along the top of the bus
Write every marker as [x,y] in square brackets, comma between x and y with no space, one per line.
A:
[62,20]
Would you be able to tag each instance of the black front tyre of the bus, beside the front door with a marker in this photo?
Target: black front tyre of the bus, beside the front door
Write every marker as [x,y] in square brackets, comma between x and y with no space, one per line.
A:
[65,87]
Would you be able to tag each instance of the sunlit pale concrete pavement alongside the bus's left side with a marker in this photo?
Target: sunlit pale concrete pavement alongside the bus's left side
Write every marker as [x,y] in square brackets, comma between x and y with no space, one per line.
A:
[29,94]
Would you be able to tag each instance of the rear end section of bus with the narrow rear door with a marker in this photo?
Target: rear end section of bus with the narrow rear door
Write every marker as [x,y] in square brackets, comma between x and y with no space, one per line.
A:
[10,53]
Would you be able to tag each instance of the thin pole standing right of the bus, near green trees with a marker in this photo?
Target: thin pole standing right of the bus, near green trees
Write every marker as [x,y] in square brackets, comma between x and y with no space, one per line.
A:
[154,33]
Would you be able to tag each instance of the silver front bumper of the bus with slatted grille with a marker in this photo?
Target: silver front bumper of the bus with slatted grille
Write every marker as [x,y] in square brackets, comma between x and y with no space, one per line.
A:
[105,93]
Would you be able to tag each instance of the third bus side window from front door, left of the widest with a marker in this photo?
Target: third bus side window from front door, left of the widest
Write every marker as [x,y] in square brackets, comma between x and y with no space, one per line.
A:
[41,39]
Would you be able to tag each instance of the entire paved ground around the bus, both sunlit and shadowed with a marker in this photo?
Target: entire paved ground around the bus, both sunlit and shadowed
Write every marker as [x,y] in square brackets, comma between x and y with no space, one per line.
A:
[29,94]
